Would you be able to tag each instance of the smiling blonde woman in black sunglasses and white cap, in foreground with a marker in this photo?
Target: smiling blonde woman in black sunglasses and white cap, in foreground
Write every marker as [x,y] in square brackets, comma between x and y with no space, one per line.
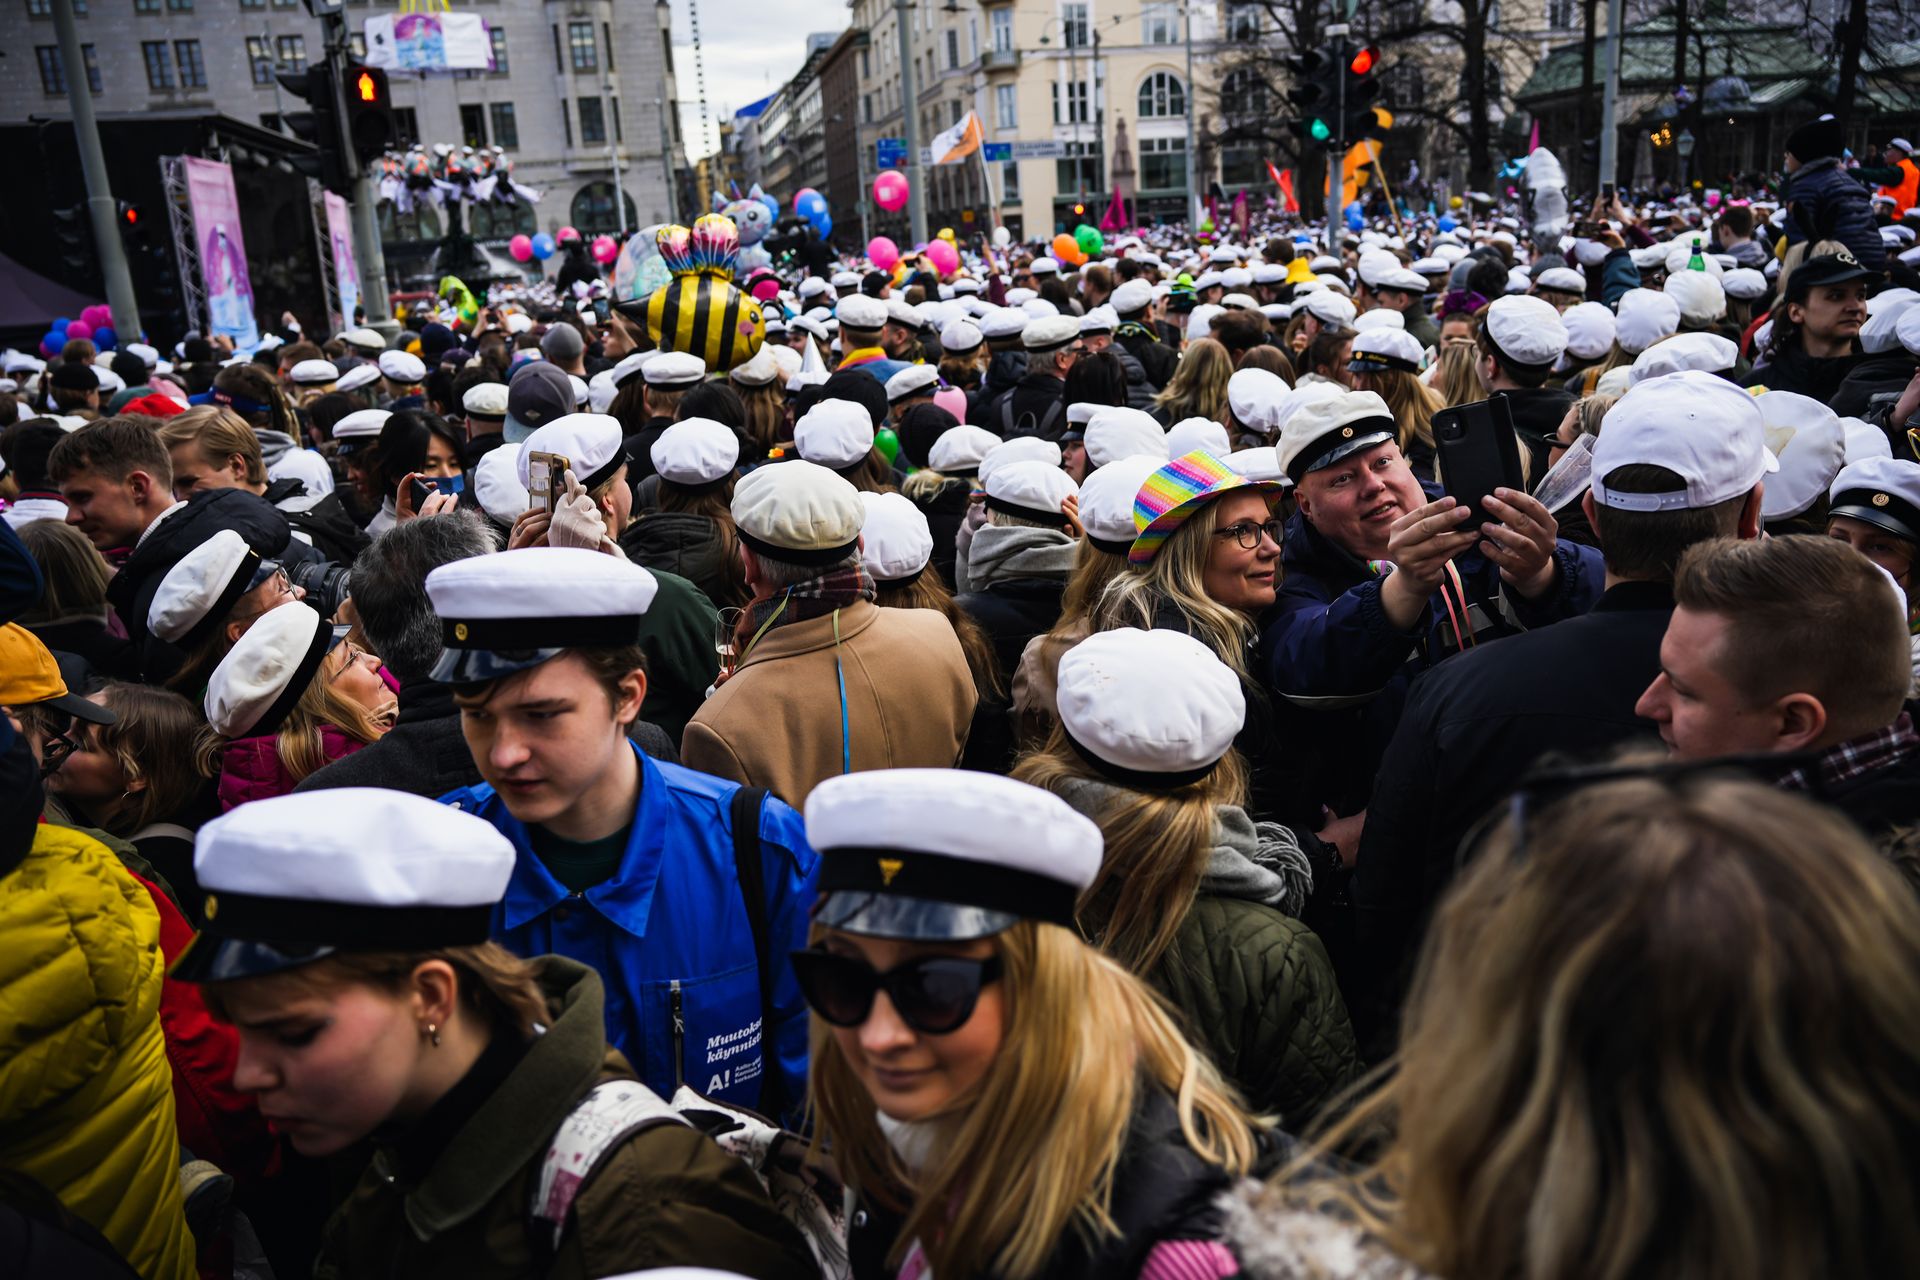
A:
[999,1097]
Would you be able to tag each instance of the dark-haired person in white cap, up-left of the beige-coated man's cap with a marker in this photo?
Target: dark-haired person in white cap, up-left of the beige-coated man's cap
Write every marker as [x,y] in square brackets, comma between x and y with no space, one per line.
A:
[690,531]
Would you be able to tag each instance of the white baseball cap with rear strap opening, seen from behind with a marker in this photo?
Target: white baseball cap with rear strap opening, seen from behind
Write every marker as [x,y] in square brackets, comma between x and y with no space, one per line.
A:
[1696,425]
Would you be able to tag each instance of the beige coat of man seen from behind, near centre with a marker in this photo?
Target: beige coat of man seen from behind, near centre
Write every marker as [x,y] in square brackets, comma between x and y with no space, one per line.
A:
[777,723]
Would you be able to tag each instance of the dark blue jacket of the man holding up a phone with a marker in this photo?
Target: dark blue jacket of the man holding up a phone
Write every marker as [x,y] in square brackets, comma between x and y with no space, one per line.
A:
[1328,646]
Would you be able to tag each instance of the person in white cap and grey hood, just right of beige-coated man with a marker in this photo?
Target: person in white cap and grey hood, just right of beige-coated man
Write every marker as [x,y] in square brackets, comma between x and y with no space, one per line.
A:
[1017,567]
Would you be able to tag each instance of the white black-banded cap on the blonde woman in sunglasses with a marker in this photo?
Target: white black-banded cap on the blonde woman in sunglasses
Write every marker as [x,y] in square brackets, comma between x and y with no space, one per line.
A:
[946,855]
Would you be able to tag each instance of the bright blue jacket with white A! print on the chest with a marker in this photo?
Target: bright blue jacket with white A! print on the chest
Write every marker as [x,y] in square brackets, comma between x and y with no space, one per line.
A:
[669,934]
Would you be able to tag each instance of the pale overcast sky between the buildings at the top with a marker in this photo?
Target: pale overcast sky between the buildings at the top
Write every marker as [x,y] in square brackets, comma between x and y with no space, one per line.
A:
[750,49]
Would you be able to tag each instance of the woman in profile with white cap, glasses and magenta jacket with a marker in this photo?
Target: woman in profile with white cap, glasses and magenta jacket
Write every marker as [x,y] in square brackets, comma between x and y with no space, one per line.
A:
[291,698]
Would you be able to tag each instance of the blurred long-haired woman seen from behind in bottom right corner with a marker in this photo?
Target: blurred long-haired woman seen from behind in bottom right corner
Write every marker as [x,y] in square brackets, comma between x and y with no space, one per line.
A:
[1691,1012]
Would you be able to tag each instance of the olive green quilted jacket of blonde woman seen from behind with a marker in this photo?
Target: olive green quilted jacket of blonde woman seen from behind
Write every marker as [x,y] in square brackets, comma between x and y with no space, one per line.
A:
[1259,997]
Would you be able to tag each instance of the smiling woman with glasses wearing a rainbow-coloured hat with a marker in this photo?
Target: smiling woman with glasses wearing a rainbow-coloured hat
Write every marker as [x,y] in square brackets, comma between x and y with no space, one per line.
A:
[1207,561]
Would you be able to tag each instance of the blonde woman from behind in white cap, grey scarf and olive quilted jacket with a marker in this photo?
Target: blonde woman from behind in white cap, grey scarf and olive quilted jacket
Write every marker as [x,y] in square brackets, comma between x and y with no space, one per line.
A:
[1193,895]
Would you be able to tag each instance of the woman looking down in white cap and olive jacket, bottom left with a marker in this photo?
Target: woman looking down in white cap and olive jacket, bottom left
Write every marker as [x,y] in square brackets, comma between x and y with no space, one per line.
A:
[350,953]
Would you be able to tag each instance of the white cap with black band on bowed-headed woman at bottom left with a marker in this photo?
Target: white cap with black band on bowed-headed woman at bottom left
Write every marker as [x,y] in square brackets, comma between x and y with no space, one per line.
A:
[300,878]
